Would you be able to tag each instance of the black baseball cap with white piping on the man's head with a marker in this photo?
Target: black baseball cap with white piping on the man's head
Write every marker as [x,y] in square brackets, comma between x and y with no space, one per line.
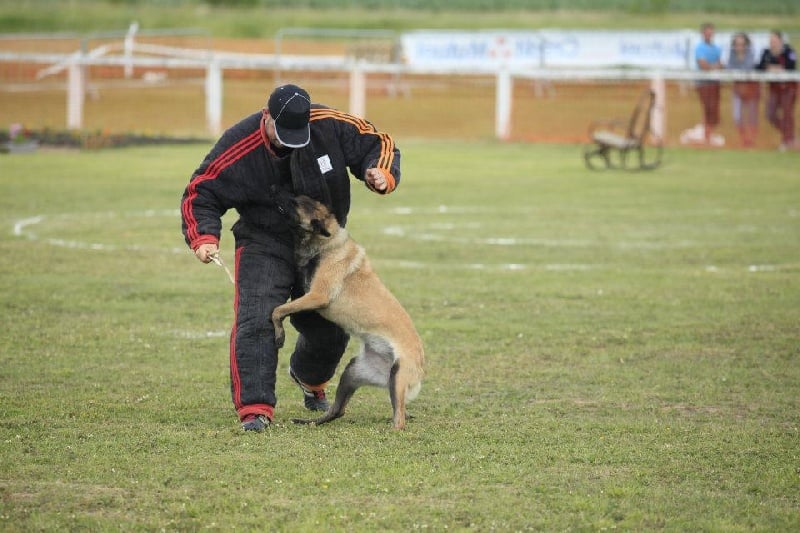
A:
[290,108]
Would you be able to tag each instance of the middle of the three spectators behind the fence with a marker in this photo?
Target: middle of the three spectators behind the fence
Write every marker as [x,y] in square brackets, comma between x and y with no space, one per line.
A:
[746,94]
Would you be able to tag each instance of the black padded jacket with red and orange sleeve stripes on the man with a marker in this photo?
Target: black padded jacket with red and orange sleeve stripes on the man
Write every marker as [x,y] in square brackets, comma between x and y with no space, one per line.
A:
[241,169]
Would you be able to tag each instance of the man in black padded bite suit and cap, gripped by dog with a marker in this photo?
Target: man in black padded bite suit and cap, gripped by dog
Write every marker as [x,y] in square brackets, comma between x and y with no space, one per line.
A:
[306,148]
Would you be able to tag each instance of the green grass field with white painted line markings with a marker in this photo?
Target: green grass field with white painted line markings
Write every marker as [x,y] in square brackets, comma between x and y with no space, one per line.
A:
[606,350]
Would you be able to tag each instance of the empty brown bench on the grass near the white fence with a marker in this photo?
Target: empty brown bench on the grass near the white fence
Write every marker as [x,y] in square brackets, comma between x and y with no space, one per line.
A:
[613,141]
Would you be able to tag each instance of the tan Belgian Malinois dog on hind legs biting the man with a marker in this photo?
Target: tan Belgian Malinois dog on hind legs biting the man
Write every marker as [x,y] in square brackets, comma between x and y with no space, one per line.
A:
[342,287]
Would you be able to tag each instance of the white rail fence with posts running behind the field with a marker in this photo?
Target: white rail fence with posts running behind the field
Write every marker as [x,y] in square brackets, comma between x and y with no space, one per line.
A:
[131,54]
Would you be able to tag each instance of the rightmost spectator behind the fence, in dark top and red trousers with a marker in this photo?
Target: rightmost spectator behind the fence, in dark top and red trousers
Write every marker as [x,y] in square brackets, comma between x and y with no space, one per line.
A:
[782,95]
